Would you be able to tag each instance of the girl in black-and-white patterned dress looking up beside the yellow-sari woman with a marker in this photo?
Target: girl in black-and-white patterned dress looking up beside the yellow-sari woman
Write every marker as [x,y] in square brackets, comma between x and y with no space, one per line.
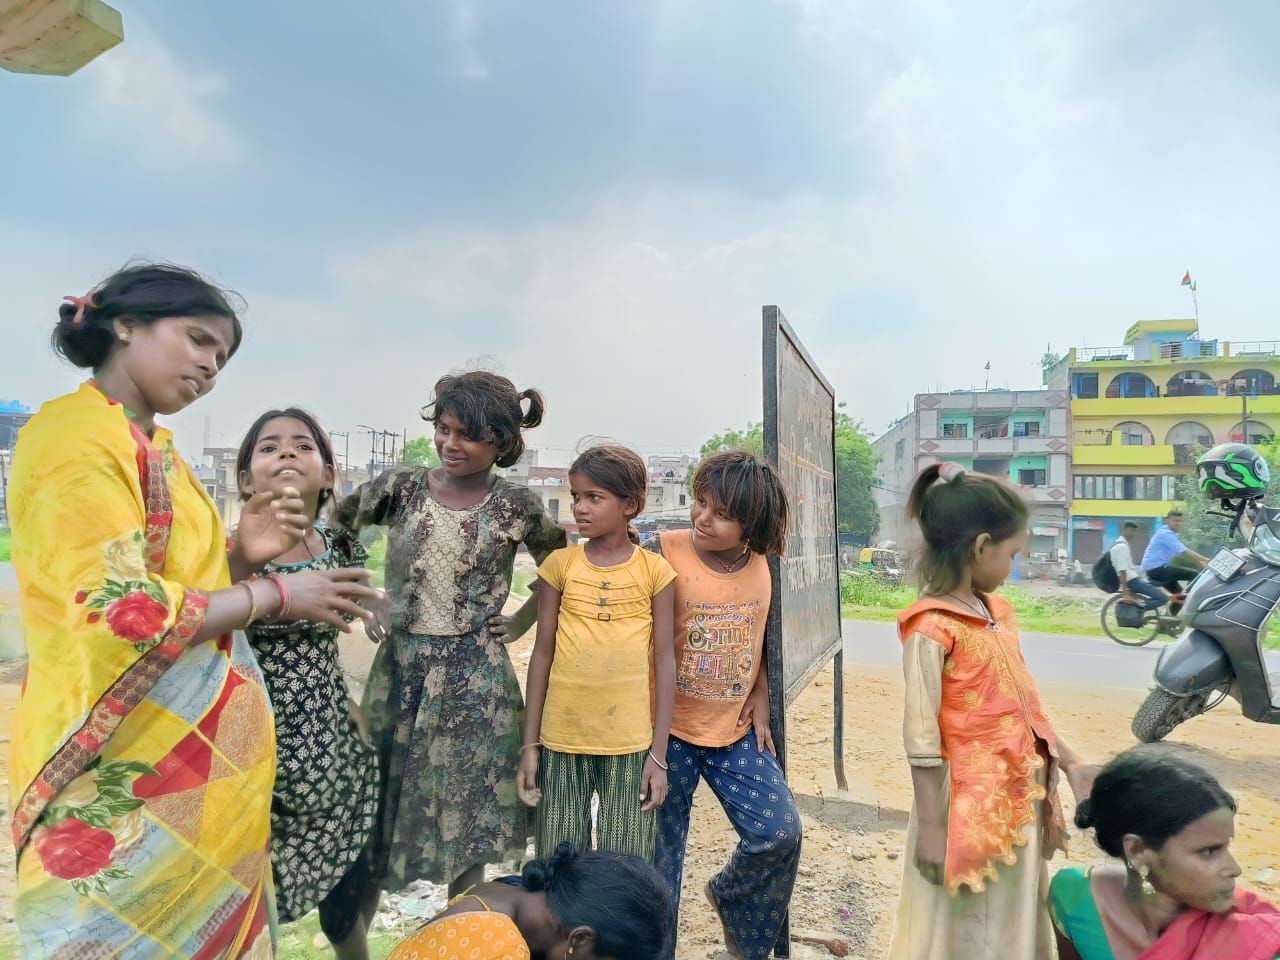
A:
[326,793]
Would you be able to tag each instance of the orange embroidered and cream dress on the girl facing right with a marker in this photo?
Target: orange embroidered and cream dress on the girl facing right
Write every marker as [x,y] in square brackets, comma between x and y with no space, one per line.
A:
[972,710]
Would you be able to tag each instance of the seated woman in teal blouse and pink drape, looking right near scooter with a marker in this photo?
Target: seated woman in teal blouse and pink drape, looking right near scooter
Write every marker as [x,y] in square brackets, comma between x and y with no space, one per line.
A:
[1171,894]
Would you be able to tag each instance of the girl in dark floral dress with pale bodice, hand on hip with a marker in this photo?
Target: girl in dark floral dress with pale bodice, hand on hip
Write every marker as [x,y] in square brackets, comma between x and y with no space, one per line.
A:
[444,702]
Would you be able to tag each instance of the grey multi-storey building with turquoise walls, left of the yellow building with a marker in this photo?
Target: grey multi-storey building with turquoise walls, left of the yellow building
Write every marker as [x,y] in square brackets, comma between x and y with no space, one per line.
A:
[1021,436]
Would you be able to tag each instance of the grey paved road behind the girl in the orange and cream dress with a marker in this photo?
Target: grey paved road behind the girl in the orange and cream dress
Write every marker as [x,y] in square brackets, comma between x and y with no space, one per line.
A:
[1053,657]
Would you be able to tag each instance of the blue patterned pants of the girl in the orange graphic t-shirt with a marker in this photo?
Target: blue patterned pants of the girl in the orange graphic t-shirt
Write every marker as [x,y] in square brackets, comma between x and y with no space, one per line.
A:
[755,889]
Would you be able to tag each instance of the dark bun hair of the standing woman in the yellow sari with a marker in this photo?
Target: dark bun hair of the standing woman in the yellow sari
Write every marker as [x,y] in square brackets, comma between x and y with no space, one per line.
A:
[85,335]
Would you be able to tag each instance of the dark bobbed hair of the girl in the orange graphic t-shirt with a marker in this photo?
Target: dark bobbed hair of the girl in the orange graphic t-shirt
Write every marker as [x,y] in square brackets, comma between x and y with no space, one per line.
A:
[751,491]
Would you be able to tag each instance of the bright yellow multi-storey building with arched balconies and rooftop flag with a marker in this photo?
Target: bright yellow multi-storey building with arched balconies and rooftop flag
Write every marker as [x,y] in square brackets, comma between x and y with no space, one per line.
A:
[1141,414]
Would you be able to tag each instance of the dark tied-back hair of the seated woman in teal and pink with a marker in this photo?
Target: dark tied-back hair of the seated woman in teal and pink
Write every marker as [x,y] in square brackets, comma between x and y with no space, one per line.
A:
[1151,796]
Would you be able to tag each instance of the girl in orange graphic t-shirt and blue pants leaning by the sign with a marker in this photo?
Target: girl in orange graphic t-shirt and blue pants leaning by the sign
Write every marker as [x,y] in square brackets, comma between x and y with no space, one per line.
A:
[720,729]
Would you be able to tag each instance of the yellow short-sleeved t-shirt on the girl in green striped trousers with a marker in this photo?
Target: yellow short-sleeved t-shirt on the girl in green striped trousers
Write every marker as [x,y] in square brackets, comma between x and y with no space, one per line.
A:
[598,694]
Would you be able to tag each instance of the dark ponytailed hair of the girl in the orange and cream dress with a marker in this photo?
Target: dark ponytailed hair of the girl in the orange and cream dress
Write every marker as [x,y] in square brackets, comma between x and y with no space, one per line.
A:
[954,509]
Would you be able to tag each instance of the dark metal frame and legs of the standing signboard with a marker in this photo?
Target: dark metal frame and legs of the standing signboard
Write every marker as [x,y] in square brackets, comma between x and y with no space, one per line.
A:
[778,337]
